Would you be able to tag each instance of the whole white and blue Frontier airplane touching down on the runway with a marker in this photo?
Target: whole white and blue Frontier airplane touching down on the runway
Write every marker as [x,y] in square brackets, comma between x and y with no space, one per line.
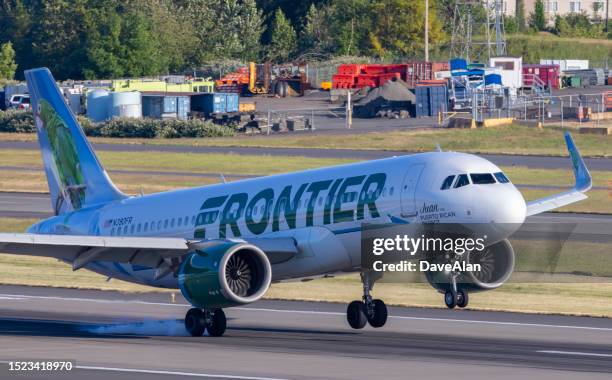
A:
[222,245]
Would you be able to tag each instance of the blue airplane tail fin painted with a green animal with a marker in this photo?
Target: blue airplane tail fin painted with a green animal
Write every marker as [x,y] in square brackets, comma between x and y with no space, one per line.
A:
[75,176]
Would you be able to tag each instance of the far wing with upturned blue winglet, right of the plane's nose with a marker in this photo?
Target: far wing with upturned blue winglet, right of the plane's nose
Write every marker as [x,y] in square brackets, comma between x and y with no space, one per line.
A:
[582,185]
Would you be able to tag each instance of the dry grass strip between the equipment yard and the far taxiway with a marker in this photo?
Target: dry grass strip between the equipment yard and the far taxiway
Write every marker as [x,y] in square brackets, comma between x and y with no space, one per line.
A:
[512,139]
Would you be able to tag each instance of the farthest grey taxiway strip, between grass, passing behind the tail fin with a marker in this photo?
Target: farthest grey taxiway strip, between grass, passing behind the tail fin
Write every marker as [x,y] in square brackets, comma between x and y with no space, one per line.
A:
[543,162]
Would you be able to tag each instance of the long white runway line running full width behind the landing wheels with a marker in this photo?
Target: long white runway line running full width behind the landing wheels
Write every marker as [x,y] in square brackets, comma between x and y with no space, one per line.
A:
[312,312]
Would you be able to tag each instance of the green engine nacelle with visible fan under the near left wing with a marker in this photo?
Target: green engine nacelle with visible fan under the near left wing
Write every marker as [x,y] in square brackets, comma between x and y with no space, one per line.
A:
[224,275]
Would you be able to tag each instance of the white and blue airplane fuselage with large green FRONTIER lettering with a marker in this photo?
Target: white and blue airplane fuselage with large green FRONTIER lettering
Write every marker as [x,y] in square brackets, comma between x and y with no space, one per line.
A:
[322,209]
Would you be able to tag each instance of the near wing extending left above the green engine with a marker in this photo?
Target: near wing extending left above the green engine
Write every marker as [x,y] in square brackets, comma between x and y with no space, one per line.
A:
[151,252]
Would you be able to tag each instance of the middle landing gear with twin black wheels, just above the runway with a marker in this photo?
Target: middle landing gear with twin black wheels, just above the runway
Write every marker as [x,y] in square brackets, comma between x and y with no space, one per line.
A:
[372,311]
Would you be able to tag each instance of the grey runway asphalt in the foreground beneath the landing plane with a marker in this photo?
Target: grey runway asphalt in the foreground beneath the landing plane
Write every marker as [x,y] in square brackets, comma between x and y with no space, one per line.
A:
[114,335]
